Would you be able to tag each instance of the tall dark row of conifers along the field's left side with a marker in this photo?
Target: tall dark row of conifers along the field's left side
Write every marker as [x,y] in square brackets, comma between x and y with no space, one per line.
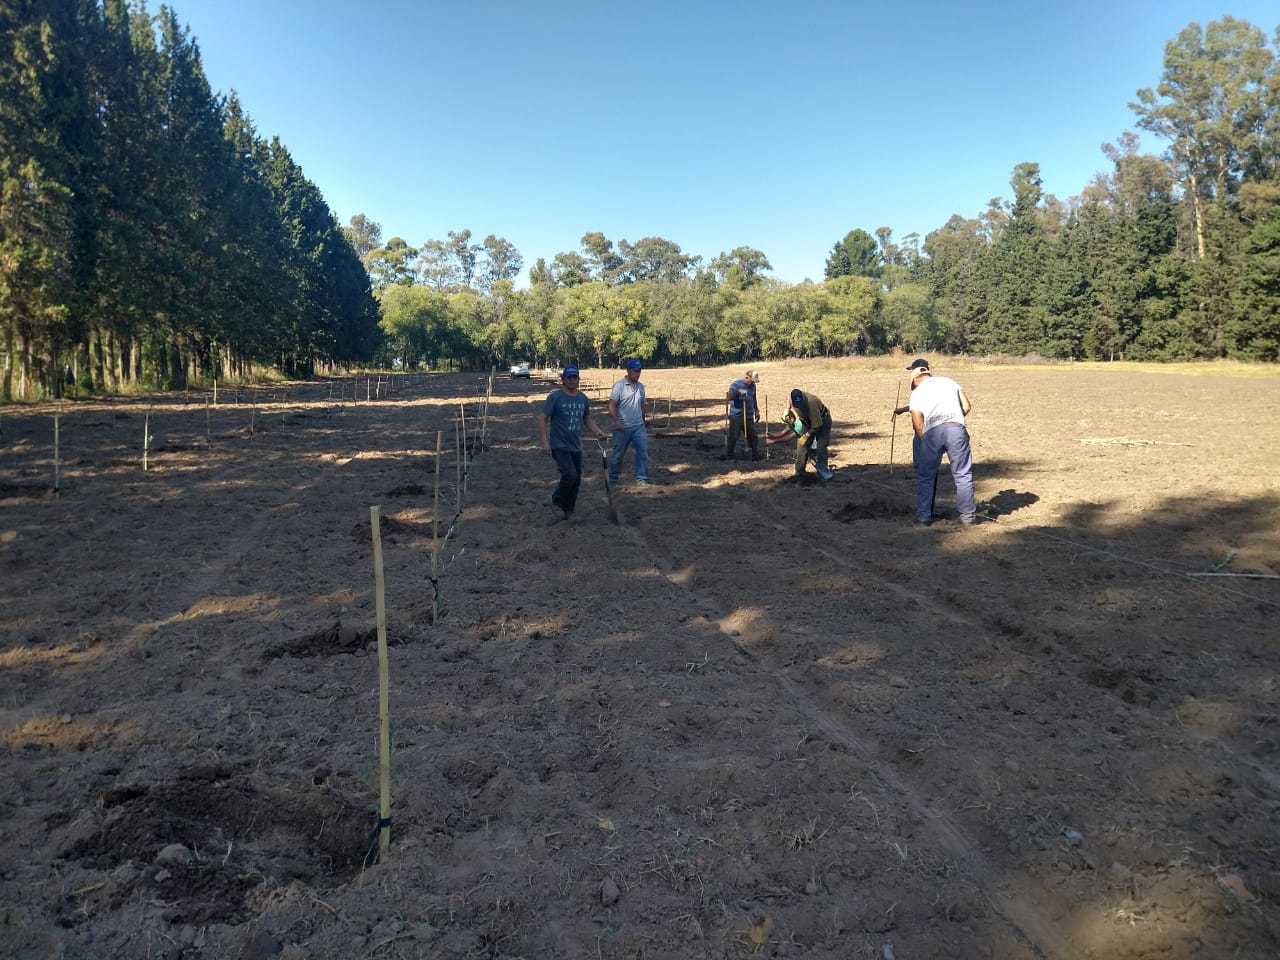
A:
[148,235]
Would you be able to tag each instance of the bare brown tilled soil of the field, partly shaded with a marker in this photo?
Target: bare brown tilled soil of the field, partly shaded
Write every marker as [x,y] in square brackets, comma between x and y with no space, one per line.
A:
[753,719]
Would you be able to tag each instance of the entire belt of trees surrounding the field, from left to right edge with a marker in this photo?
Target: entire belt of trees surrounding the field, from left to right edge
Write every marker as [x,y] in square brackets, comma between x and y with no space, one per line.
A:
[148,235]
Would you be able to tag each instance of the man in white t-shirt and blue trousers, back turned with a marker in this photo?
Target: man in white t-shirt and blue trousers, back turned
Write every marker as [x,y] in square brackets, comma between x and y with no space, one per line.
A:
[939,410]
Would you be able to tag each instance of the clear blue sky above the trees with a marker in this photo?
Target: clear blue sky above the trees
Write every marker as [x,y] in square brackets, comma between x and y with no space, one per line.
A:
[776,126]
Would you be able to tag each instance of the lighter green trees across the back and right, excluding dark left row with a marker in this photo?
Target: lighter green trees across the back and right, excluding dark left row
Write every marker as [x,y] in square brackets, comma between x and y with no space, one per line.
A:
[1164,258]
